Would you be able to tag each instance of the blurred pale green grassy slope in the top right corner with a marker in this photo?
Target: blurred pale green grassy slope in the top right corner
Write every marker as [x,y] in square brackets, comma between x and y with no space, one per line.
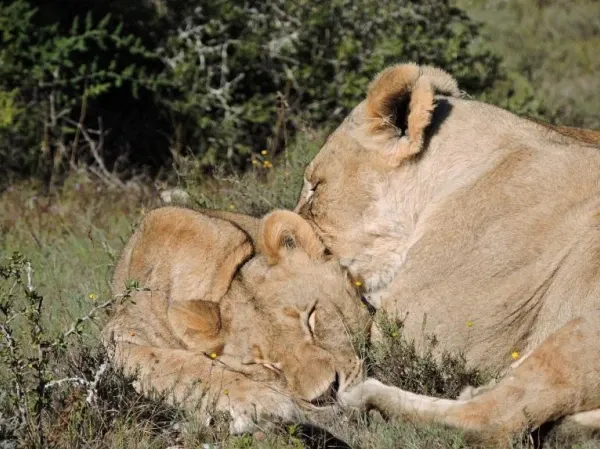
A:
[552,44]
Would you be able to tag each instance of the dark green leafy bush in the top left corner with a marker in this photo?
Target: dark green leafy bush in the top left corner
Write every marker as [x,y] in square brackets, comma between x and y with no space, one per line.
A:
[50,76]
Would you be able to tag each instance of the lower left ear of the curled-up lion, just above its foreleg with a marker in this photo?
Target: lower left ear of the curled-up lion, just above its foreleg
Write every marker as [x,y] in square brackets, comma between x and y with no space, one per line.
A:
[197,323]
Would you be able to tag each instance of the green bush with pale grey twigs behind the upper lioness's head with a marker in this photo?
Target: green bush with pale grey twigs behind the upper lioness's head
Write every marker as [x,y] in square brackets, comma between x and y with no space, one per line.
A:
[251,72]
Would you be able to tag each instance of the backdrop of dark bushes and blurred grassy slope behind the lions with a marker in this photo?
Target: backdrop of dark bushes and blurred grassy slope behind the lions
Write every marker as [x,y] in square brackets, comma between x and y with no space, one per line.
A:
[122,88]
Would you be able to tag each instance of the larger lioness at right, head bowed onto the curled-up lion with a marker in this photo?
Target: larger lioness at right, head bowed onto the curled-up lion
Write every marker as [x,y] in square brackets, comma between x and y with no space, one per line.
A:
[475,225]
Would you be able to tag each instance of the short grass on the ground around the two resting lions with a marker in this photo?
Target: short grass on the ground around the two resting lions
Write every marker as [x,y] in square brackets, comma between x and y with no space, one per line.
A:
[73,239]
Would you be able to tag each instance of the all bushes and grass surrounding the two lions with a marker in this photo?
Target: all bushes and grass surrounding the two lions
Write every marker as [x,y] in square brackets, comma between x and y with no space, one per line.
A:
[103,104]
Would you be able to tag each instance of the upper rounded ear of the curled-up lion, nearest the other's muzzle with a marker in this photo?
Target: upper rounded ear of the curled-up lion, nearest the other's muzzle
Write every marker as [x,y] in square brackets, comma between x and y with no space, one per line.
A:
[281,230]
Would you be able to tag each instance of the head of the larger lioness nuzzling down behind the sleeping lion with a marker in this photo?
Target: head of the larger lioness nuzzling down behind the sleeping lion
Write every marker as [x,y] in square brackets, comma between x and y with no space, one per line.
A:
[350,191]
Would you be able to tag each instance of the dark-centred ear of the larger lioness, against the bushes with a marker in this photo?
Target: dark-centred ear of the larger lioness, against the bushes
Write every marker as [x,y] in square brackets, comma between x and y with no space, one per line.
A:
[399,106]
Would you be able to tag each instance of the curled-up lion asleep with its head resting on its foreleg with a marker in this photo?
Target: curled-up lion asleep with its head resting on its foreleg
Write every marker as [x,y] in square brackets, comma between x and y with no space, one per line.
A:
[229,329]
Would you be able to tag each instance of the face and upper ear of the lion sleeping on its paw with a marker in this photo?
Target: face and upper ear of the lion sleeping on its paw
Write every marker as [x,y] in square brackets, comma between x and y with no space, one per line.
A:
[311,306]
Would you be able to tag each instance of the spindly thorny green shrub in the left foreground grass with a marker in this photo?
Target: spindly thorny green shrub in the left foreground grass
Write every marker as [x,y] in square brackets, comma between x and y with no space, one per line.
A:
[30,354]
